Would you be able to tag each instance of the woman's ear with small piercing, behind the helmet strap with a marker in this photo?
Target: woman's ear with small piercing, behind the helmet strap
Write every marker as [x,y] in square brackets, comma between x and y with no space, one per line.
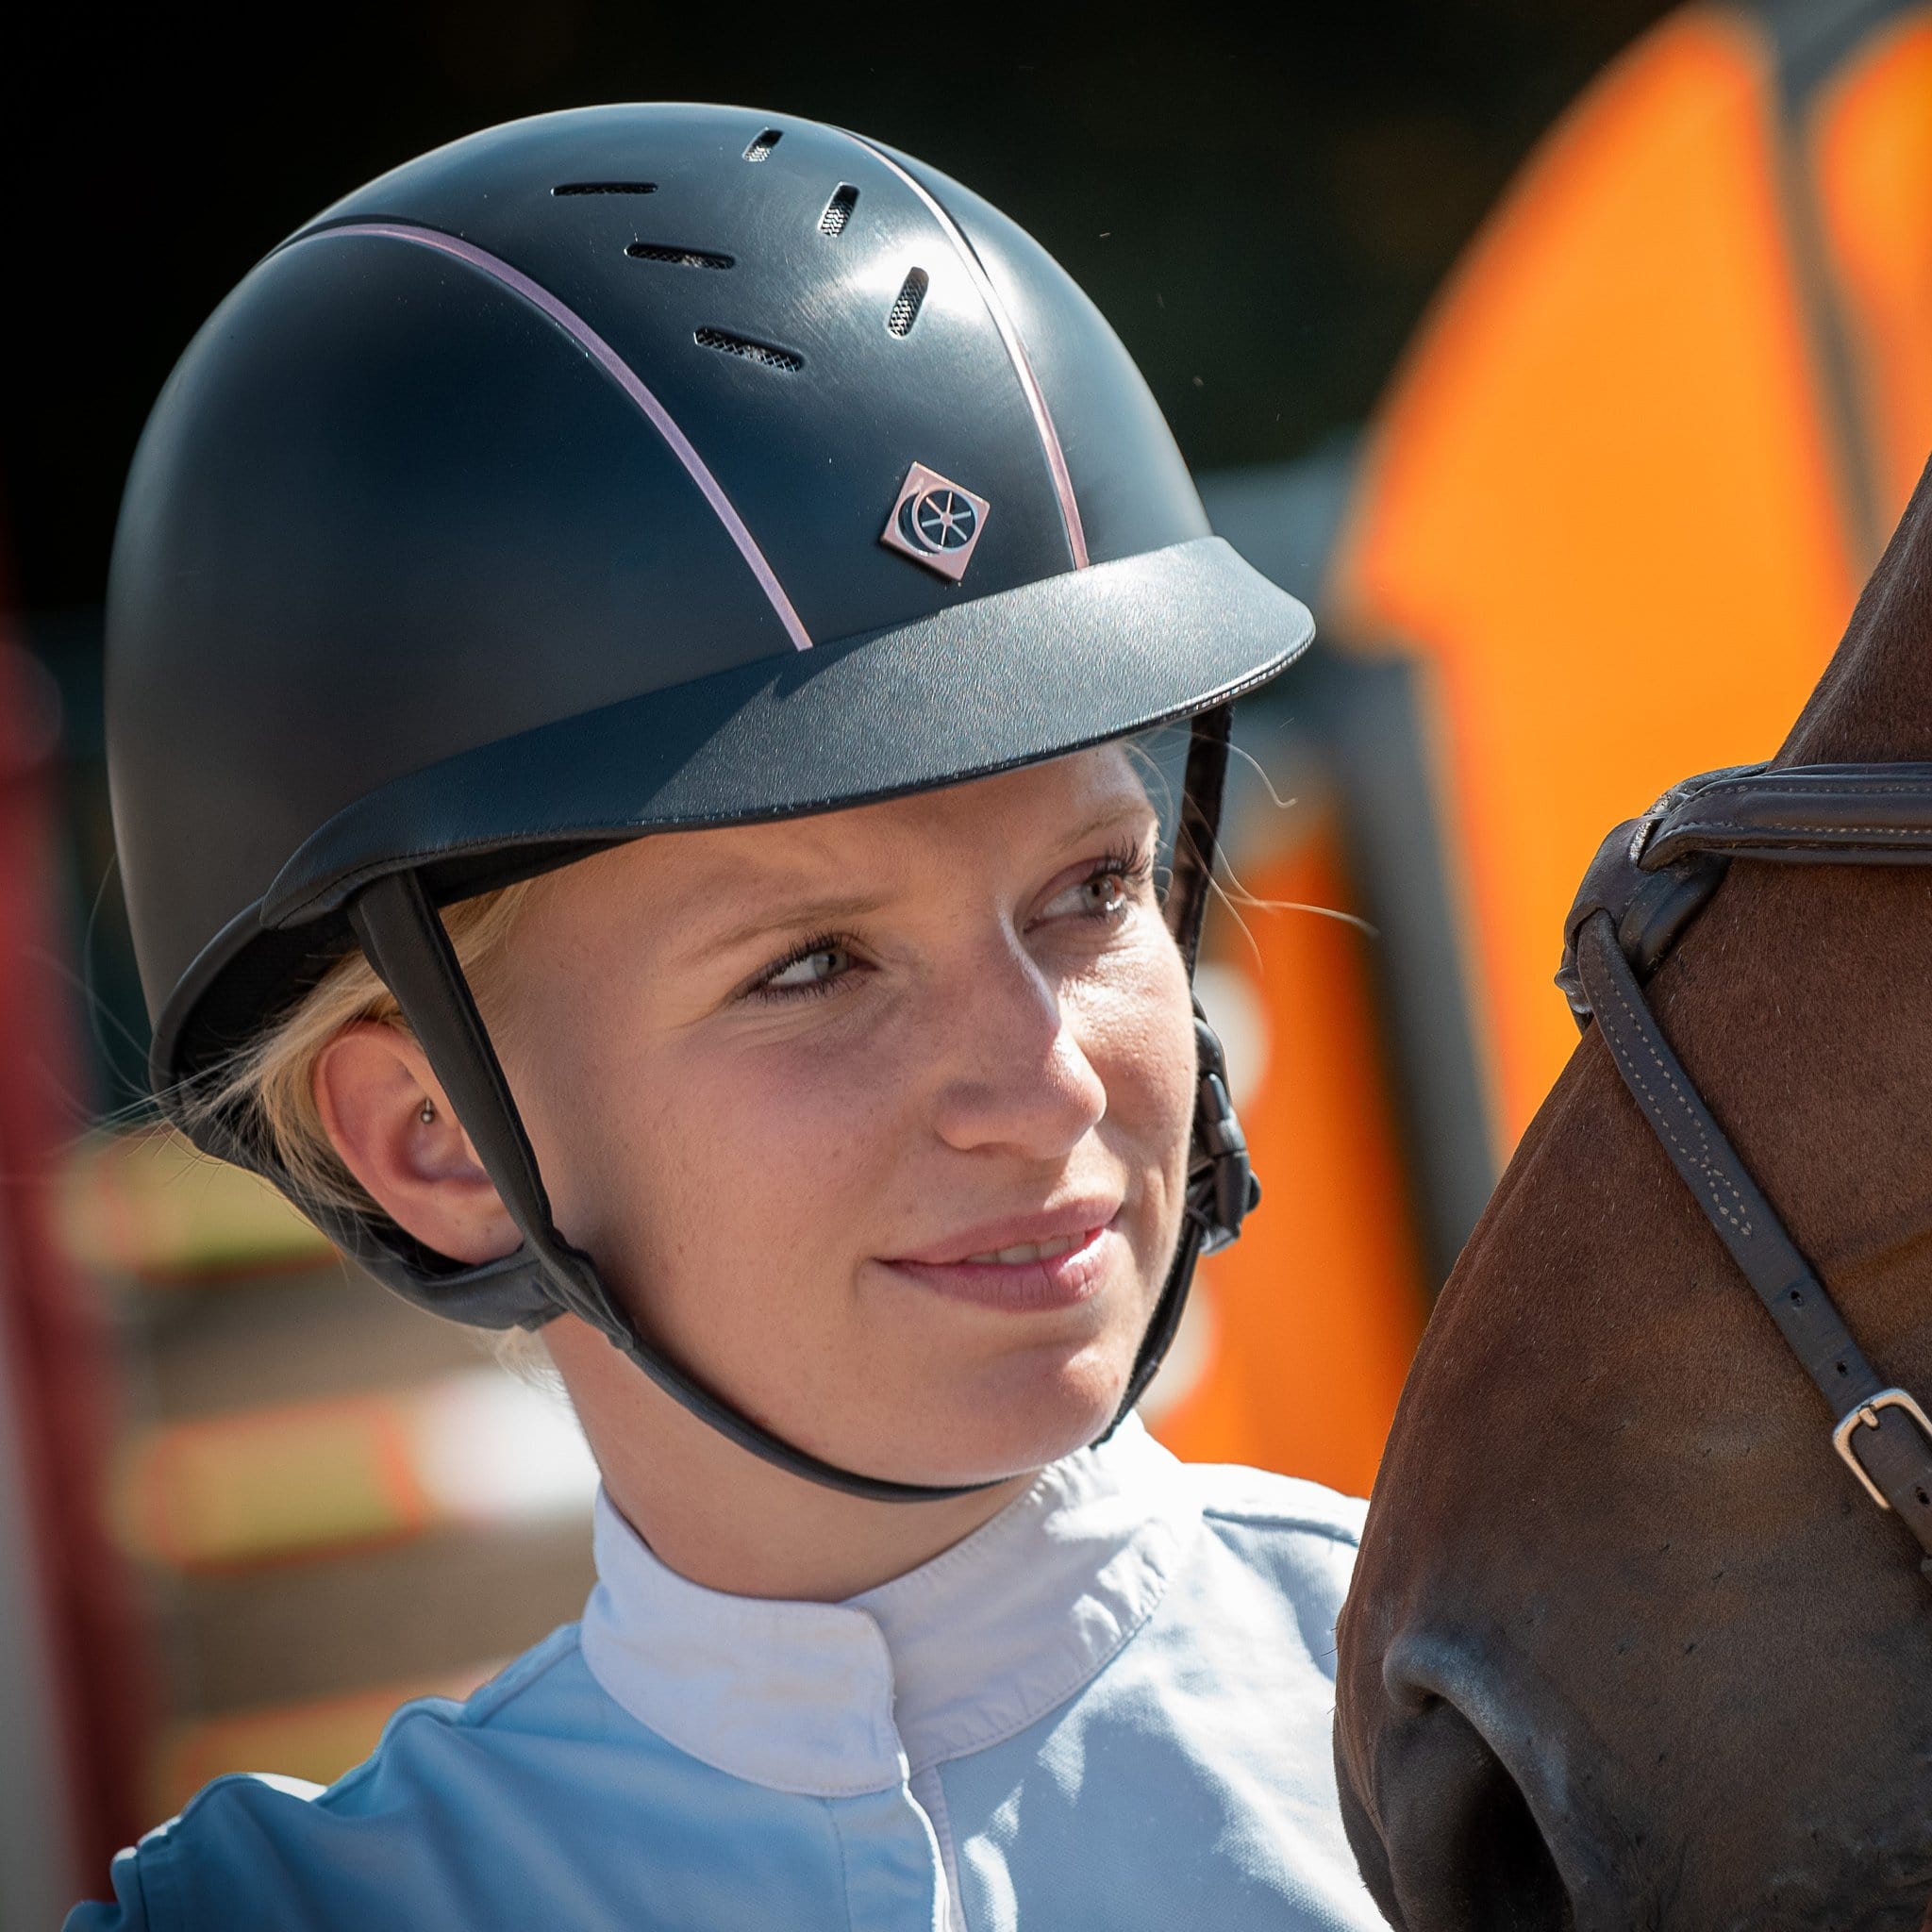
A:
[374,1089]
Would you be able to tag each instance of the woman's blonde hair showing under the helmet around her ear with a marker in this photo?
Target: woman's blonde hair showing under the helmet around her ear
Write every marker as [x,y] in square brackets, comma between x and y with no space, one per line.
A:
[270,1087]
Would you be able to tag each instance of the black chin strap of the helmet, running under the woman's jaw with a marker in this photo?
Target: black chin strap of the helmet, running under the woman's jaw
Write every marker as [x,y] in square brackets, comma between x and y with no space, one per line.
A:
[411,952]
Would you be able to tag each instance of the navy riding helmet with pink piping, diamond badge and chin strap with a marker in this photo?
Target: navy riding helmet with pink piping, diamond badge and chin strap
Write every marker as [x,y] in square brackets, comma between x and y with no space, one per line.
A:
[606,474]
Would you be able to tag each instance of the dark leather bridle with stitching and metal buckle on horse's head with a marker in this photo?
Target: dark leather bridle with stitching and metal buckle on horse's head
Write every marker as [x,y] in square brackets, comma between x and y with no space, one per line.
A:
[1645,886]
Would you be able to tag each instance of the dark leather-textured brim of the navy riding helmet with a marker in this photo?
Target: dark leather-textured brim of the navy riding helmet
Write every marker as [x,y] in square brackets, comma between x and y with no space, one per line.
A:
[984,687]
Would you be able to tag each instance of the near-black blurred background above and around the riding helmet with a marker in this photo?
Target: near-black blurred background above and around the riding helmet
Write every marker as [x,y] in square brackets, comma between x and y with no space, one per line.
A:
[1261,202]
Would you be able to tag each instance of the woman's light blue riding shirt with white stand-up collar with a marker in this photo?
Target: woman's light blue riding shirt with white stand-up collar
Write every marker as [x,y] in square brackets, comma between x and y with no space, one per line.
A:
[1108,1709]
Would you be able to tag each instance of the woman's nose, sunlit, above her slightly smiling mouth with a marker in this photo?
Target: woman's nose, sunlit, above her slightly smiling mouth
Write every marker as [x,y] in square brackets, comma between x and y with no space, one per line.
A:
[1013,1071]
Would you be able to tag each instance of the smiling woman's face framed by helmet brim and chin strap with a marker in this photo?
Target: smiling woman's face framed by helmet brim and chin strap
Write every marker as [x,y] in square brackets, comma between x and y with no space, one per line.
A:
[878,1122]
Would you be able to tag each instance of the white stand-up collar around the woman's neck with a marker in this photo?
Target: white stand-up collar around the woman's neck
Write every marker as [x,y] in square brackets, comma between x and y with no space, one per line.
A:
[838,1699]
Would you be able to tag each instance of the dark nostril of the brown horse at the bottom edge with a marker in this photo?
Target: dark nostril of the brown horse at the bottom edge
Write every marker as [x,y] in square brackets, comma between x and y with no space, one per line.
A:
[1463,1848]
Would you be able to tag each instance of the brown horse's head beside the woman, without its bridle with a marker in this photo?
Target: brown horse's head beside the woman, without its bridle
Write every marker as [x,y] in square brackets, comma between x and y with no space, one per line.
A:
[1628,1643]
